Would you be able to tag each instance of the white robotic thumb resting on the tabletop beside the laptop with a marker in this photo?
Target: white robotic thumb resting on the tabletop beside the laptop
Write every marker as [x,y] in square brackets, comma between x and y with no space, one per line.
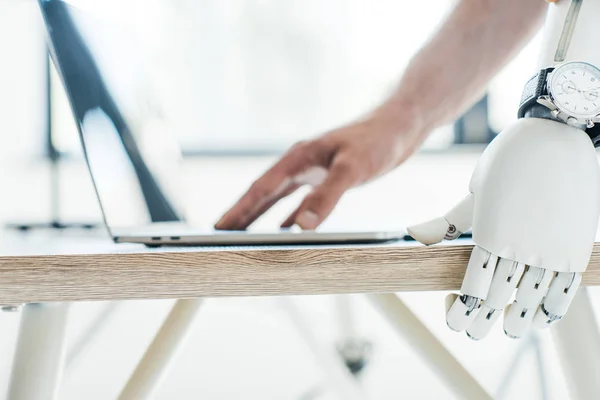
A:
[456,221]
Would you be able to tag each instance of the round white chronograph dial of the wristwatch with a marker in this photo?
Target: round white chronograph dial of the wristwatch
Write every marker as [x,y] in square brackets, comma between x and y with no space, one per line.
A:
[575,88]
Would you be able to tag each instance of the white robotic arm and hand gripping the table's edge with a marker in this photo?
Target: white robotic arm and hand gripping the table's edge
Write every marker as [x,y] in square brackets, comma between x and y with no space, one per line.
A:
[534,204]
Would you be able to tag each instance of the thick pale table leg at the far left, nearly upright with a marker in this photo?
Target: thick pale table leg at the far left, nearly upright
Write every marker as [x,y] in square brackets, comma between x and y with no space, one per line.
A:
[39,358]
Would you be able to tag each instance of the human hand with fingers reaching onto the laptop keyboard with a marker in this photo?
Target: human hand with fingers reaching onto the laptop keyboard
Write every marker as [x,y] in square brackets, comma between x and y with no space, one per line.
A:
[331,164]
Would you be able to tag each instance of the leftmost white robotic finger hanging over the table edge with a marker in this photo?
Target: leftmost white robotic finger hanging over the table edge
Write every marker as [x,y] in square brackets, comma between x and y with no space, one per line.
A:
[475,287]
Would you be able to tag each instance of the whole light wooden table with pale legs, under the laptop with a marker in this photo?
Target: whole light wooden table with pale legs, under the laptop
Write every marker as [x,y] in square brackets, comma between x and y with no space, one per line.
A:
[39,268]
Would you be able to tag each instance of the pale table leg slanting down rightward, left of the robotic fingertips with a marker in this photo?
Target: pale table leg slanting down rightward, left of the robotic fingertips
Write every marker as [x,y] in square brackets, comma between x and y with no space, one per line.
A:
[413,331]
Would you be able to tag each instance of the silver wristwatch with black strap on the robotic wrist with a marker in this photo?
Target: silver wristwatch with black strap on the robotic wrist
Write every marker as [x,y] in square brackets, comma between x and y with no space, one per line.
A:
[569,93]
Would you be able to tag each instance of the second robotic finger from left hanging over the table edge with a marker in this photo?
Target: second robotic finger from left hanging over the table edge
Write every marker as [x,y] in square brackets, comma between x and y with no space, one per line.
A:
[505,280]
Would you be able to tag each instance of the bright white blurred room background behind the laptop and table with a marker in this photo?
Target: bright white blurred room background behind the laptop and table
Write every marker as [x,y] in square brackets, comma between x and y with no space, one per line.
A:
[235,84]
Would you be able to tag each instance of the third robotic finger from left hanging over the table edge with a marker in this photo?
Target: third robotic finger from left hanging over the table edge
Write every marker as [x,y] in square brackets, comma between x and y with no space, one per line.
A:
[532,289]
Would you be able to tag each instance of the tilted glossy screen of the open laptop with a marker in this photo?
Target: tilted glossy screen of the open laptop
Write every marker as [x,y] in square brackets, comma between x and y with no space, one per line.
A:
[132,162]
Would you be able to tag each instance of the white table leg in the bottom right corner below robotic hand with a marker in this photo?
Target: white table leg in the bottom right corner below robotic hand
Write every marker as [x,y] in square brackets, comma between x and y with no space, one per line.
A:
[578,344]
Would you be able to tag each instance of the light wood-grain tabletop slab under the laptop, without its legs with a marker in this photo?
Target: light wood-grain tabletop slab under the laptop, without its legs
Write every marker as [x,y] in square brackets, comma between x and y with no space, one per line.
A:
[114,272]
